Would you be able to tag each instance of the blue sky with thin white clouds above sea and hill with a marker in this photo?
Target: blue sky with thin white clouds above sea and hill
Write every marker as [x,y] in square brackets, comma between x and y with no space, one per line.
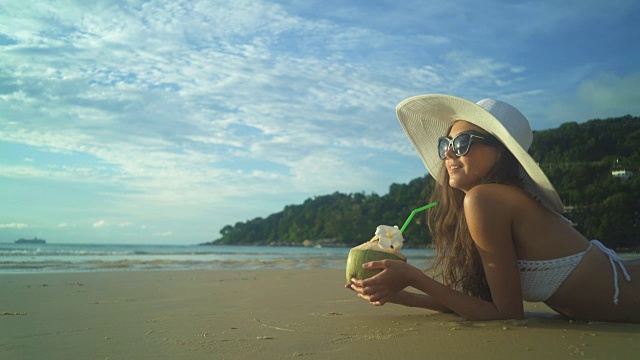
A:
[163,121]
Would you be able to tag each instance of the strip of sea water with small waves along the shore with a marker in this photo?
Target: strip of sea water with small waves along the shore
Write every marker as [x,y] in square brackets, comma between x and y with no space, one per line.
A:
[51,257]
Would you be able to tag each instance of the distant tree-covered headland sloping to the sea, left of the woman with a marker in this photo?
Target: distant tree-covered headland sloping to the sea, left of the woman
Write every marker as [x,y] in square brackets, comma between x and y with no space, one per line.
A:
[336,219]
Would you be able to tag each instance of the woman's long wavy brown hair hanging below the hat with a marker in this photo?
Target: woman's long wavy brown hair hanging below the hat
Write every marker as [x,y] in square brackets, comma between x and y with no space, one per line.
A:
[457,259]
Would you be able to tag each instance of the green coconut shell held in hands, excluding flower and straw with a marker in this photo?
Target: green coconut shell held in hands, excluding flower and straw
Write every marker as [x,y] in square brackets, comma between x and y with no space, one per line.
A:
[364,253]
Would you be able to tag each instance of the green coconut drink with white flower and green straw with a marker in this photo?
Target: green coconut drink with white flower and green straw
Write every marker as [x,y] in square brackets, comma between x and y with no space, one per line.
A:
[385,245]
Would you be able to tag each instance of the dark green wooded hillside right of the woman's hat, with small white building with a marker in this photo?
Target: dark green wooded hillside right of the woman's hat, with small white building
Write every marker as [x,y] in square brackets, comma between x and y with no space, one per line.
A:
[579,159]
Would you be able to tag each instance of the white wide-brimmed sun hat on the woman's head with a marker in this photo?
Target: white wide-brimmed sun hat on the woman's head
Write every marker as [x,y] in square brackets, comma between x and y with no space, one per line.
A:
[426,118]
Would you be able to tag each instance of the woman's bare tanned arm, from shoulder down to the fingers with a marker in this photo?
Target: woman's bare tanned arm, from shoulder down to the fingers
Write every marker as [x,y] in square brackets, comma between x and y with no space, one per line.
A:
[488,210]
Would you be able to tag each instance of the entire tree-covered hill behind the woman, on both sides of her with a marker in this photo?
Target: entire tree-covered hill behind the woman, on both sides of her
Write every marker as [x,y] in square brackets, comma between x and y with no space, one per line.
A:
[578,158]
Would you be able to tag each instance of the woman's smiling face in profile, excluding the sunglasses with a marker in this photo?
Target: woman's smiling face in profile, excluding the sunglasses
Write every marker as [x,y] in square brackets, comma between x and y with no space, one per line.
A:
[466,171]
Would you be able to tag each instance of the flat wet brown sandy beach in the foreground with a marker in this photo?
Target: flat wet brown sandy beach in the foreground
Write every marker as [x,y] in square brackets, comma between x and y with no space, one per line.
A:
[272,314]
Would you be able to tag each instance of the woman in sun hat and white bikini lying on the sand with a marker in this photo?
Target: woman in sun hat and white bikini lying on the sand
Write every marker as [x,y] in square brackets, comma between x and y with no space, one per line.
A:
[498,232]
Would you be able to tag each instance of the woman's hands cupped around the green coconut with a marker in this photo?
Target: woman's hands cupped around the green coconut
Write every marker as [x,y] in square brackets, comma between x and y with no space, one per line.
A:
[385,286]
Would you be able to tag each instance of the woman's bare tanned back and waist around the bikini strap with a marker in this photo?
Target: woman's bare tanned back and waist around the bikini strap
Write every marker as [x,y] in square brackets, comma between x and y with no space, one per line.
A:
[588,291]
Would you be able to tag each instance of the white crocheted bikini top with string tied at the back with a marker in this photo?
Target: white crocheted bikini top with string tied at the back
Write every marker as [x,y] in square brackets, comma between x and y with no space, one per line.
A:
[541,279]
